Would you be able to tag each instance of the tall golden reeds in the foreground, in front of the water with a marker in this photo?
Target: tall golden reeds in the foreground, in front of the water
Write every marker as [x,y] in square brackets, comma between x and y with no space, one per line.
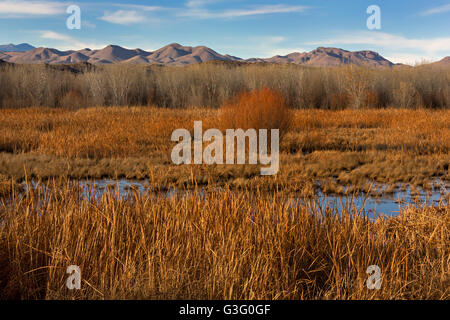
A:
[214,244]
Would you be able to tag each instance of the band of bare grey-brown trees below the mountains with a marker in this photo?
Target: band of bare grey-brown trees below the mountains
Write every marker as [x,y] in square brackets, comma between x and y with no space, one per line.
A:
[212,84]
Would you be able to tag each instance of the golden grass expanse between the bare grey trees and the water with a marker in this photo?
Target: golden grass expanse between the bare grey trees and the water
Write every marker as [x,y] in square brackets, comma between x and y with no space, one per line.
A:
[340,148]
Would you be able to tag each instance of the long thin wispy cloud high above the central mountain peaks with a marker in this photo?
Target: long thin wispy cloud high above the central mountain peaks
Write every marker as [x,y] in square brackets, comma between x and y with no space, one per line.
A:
[196,11]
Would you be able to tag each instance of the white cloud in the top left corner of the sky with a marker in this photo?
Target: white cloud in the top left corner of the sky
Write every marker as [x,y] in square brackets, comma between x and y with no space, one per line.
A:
[17,8]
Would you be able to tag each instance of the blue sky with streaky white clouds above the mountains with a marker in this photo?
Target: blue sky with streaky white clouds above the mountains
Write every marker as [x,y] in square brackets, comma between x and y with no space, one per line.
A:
[411,30]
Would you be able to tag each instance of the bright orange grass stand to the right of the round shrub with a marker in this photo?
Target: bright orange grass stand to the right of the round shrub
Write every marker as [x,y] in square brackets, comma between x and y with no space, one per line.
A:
[417,131]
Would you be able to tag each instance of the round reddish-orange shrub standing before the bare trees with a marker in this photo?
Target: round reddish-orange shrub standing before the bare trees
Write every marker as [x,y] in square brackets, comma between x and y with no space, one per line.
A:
[257,109]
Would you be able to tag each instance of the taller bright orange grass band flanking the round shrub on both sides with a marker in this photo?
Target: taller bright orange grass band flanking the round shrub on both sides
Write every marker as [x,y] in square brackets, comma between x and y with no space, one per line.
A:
[122,132]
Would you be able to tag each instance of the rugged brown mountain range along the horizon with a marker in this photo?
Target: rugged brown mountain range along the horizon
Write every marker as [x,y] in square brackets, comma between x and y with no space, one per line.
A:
[178,55]
